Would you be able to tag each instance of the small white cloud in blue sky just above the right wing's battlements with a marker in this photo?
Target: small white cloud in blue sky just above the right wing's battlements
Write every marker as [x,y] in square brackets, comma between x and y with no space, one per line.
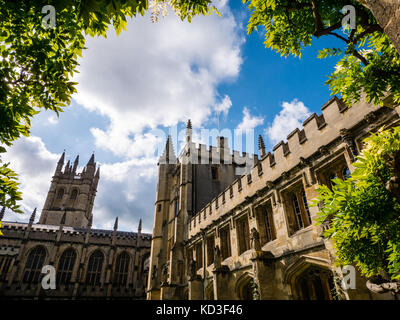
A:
[291,117]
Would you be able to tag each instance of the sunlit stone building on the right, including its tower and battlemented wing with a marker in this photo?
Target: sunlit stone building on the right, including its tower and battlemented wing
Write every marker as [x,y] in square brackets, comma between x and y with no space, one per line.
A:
[219,235]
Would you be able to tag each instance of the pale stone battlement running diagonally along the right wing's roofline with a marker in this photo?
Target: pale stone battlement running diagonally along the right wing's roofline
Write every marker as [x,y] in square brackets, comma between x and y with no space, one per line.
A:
[318,131]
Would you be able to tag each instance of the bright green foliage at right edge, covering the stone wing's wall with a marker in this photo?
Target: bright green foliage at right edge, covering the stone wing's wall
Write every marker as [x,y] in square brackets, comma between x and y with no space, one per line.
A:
[364,210]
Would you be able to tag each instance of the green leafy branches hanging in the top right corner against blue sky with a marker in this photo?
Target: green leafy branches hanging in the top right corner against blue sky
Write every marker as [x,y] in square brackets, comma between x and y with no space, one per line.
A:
[369,61]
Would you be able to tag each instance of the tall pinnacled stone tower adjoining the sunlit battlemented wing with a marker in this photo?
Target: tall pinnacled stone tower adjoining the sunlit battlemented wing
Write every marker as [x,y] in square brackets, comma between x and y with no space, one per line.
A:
[185,185]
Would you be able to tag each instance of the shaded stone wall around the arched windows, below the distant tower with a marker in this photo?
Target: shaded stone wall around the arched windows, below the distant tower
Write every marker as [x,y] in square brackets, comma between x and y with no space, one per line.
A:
[20,238]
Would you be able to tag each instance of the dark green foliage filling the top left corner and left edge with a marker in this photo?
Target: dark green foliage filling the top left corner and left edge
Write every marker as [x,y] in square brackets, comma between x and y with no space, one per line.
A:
[37,63]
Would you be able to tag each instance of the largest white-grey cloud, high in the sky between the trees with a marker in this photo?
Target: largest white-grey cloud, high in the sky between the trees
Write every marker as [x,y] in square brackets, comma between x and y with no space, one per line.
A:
[158,74]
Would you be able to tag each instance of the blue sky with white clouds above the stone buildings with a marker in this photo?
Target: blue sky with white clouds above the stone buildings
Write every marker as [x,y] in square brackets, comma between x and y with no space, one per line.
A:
[134,87]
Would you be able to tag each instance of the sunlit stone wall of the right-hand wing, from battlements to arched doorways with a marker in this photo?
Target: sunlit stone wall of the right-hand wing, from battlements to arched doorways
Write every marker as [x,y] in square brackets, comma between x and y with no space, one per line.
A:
[275,267]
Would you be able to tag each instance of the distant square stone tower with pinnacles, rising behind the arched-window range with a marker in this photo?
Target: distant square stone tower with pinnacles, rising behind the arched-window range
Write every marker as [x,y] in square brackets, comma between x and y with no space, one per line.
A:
[71,195]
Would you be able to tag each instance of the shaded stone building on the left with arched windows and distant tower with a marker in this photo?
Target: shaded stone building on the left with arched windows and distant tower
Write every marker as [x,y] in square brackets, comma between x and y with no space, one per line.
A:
[89,263]
